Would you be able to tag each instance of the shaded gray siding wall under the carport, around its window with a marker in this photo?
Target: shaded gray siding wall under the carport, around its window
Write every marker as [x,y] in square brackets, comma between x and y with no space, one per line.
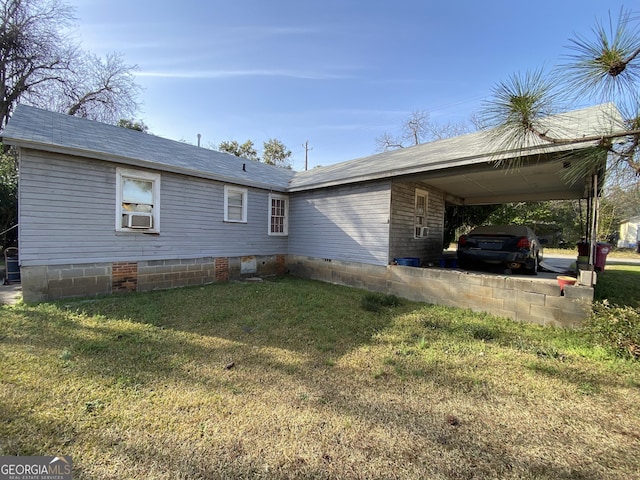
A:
[402,242]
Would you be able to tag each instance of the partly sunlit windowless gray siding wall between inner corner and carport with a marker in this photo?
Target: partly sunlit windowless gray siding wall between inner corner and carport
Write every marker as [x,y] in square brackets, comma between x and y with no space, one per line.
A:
[344,223]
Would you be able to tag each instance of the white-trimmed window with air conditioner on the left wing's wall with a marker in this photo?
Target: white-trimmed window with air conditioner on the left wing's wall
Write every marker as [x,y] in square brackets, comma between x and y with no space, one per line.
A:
[137,201]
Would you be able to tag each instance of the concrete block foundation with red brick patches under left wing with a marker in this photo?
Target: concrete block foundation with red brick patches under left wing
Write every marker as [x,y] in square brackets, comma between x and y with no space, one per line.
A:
[51,282]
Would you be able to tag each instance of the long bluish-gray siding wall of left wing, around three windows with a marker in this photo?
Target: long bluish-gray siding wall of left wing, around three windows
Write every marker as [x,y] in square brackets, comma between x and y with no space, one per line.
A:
[68,207]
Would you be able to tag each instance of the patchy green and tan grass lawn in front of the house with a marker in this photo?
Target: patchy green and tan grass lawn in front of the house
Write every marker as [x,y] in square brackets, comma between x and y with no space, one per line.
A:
[293,378]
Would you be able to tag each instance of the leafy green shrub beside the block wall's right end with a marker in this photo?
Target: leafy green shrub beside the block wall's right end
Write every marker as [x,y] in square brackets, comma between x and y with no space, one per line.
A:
[616,328]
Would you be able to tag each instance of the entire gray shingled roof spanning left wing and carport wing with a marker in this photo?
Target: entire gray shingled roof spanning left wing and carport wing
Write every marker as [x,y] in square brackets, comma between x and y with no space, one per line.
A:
[446,164]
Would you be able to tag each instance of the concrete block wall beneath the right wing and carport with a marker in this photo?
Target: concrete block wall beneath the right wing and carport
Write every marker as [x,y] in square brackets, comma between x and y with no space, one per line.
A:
[518,298]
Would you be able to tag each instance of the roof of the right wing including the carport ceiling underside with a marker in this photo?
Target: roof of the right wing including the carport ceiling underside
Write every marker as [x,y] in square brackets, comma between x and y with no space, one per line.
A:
[464,166]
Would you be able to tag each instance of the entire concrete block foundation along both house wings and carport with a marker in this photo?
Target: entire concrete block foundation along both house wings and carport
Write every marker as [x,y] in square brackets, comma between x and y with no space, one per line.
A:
[522,299]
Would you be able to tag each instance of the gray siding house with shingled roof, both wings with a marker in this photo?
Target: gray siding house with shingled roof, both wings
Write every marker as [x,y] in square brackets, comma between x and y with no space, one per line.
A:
[104,209]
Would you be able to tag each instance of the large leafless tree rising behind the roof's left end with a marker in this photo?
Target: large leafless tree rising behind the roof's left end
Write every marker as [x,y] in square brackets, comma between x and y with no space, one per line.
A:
[42,66]
